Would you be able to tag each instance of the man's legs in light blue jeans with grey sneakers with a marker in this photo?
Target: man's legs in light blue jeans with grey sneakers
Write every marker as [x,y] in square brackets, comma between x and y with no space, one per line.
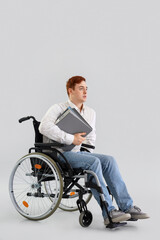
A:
[106,166]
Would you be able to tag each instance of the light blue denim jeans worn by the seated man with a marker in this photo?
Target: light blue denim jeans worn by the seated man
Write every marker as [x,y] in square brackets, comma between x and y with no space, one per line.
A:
[106,169]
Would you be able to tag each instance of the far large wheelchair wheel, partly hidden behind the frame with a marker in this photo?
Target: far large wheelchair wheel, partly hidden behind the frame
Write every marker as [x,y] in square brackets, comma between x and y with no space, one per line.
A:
[70,203]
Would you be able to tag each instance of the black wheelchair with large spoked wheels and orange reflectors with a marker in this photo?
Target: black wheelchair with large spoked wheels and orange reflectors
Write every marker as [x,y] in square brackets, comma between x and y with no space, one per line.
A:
[40,183]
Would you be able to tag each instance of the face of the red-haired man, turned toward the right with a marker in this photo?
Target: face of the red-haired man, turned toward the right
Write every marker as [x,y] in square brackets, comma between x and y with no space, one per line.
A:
[79,93]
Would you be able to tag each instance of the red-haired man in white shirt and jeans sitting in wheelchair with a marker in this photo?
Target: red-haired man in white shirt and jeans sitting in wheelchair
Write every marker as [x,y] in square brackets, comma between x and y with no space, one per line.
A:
[104,166]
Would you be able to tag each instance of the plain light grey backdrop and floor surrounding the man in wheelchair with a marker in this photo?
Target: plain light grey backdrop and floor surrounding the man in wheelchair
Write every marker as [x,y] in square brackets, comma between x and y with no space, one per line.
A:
[115,46]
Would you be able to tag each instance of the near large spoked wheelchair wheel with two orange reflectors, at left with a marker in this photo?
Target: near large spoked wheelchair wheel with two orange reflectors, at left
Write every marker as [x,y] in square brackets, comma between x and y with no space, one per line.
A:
[27,186]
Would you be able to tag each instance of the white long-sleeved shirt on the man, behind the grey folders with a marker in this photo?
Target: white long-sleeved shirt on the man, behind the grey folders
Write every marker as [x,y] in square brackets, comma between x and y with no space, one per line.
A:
[50,131]
